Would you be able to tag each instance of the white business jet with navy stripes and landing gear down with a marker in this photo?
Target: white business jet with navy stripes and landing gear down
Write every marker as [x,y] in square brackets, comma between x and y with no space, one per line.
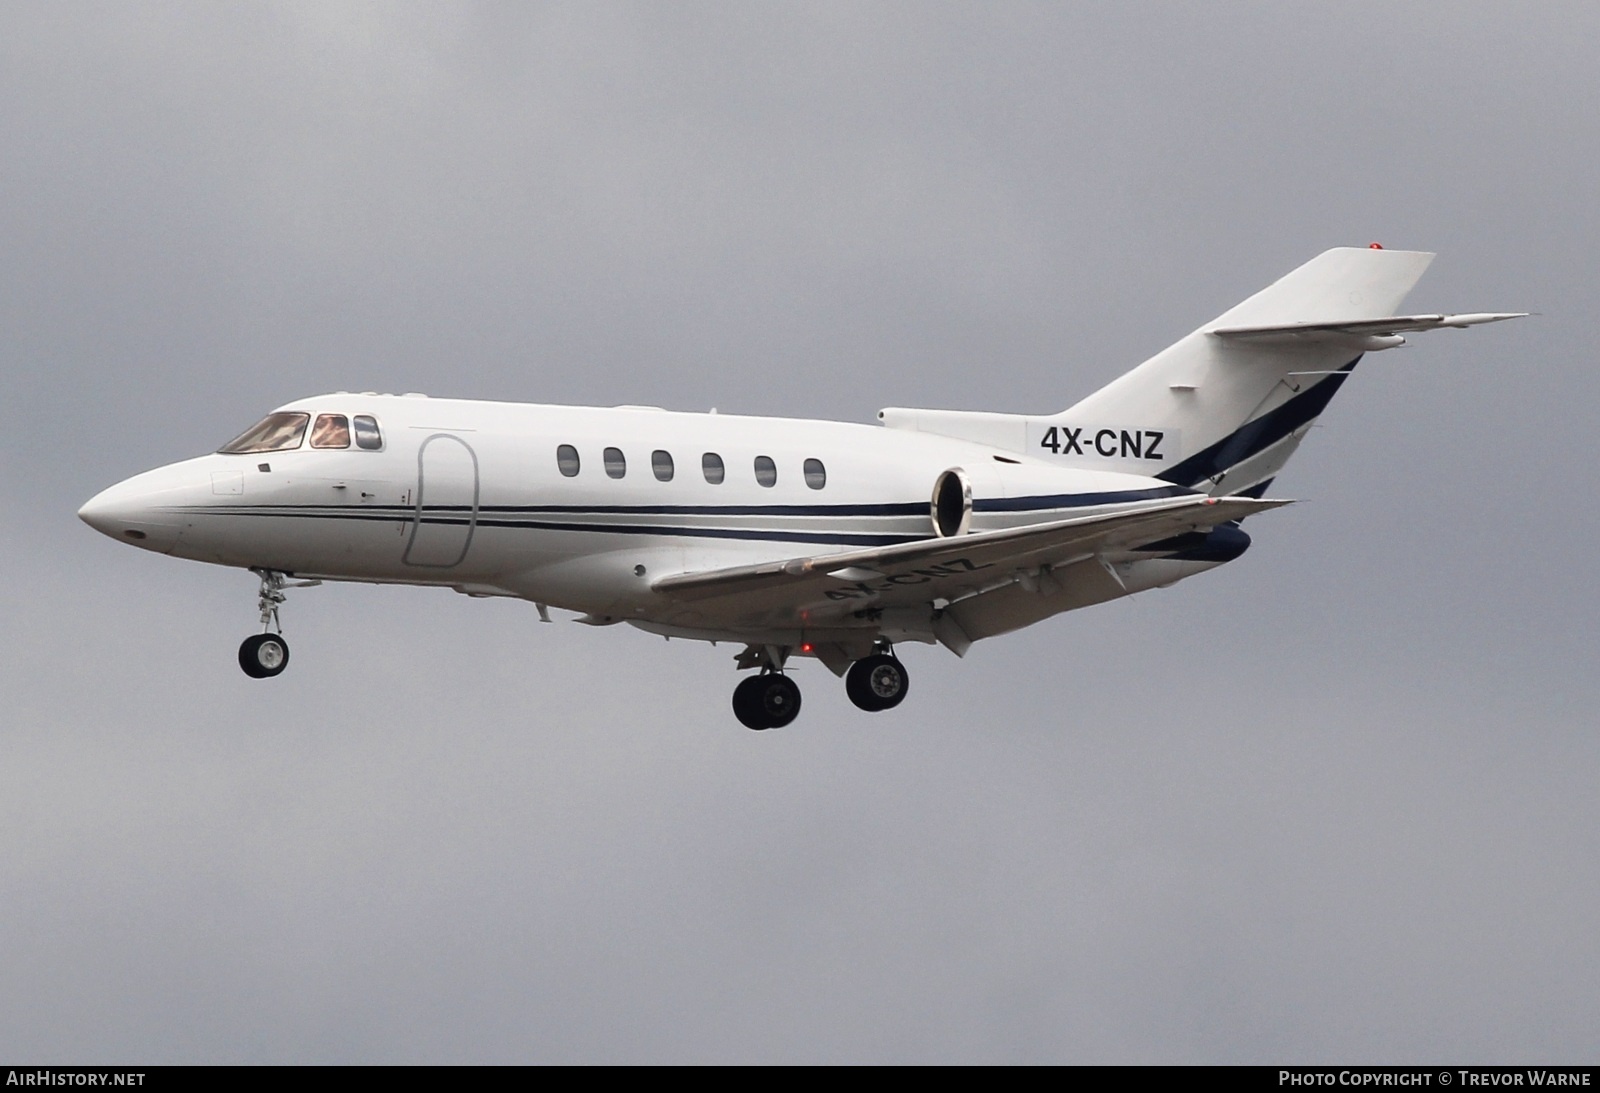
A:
[791,538]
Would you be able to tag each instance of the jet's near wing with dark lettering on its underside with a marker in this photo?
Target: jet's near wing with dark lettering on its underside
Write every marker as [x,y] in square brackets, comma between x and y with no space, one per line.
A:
[959,566]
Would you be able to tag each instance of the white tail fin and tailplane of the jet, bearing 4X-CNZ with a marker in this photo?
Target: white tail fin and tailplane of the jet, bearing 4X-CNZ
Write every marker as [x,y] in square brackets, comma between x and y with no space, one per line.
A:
[1226,407]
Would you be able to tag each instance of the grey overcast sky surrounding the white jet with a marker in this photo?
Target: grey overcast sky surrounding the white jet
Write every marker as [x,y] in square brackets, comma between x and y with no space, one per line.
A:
[1335,803]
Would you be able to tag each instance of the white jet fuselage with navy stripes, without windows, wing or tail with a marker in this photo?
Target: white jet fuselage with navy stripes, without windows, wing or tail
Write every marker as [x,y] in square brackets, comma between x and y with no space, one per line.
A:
[468,495]
